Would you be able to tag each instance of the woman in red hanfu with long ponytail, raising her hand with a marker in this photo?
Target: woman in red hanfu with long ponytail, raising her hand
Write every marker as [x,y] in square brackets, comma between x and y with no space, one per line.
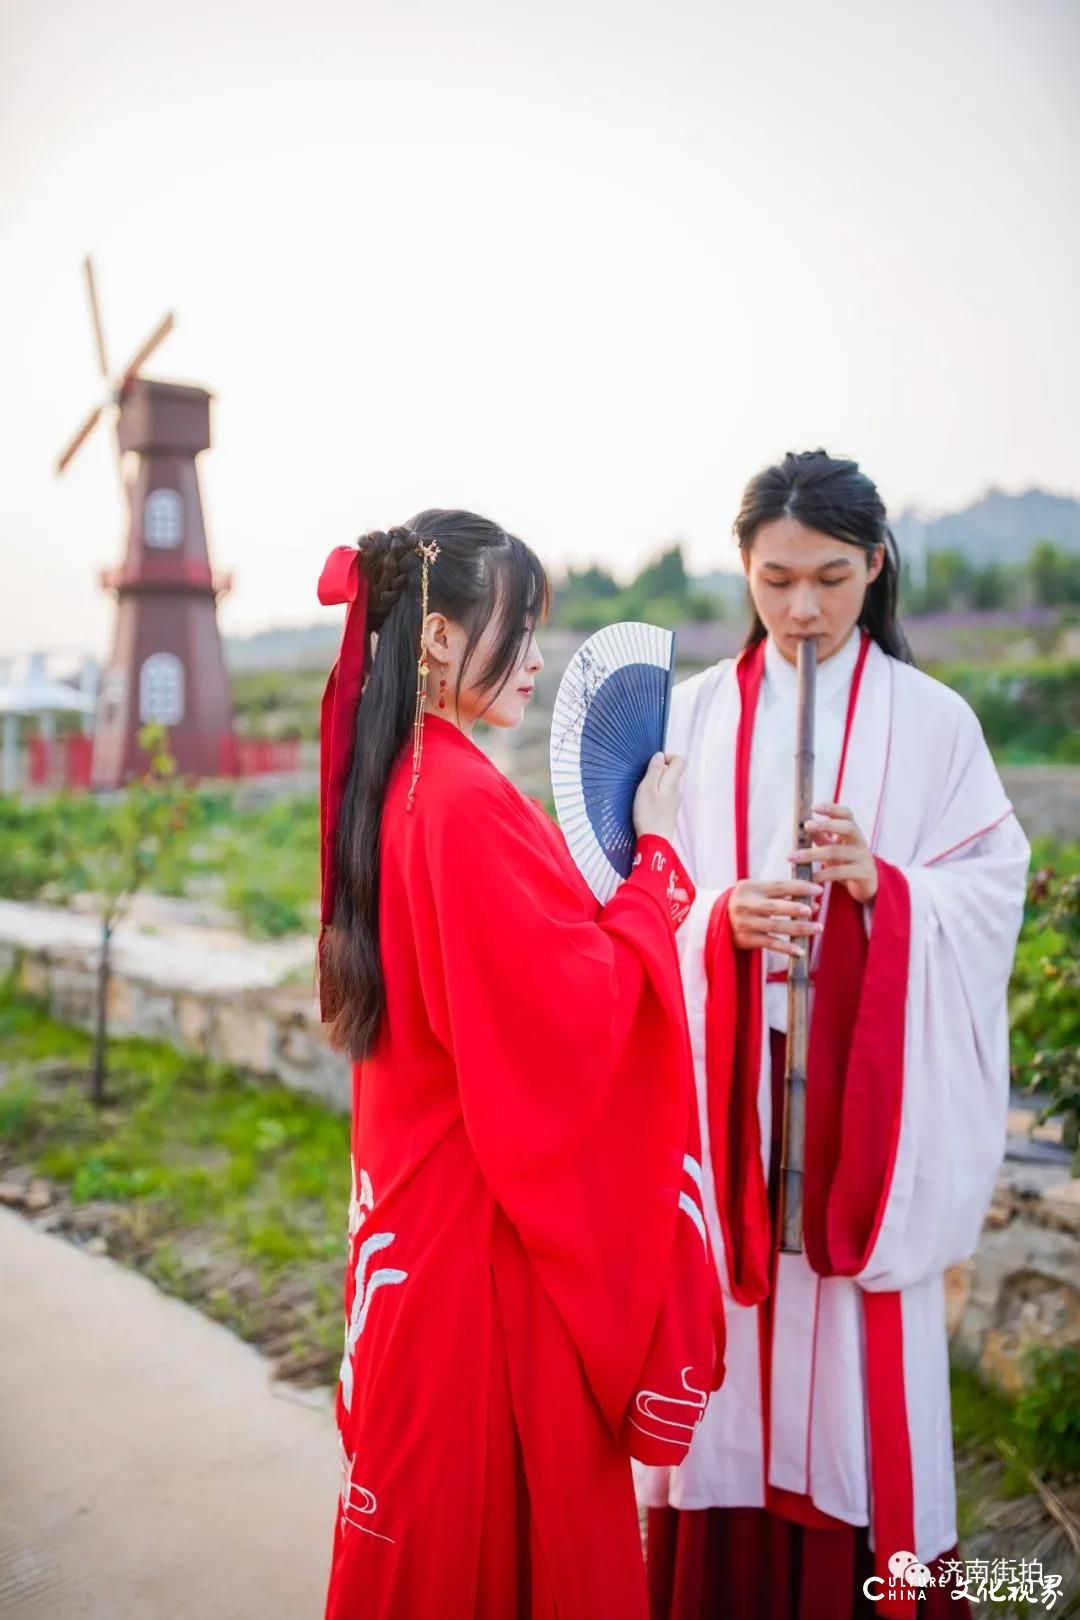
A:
[530,1297]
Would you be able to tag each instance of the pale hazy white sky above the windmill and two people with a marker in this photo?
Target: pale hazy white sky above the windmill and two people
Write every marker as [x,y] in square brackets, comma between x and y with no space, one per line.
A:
[584,268]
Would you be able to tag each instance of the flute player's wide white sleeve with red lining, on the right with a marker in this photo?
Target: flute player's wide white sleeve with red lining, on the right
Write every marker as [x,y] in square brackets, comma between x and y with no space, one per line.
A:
[909,1064]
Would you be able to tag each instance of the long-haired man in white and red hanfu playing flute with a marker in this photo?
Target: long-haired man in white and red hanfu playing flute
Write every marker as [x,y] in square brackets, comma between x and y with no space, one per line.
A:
[828,1451]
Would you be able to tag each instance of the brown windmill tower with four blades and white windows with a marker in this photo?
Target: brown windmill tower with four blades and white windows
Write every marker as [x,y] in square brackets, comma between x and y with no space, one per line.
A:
[168,665]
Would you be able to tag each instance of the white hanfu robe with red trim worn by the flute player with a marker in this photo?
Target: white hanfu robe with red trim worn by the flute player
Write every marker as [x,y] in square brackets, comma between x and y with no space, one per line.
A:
[908,1091]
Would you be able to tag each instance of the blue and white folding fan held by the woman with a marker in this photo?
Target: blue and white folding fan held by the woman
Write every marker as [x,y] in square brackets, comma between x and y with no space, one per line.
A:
[610,720]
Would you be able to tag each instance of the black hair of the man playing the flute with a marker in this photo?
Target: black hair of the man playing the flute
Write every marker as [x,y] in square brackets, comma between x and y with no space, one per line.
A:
[836,500]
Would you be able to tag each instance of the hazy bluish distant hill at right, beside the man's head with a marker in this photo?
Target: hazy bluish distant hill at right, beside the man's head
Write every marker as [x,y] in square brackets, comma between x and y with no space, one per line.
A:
[997,529]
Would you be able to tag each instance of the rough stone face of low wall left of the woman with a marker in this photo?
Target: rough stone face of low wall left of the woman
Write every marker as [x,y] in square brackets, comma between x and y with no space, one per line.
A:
[271,1033]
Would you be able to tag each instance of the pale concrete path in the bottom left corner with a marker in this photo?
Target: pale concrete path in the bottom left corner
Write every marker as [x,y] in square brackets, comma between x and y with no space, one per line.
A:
[148,1469]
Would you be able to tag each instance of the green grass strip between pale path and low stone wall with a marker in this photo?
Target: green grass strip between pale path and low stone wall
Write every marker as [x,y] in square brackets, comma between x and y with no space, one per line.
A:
[226,1190]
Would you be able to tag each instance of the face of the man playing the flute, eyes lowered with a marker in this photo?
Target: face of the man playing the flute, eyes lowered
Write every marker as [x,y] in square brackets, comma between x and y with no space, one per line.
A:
[806,584]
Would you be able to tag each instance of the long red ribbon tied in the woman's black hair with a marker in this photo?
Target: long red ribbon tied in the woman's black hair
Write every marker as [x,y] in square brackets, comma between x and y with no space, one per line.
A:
[342,581]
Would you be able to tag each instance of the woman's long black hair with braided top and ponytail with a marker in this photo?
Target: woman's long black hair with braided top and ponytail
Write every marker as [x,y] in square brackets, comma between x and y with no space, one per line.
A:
[482,573]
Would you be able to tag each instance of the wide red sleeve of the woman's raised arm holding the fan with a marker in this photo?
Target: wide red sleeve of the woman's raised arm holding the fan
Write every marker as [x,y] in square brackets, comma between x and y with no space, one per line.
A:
[571,1046]
